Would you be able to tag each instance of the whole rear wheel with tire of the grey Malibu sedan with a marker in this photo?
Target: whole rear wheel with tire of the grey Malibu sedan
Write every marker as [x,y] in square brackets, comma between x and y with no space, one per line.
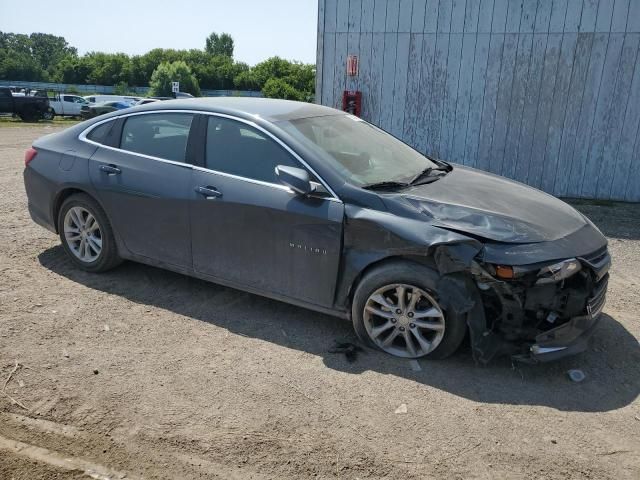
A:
[86,234]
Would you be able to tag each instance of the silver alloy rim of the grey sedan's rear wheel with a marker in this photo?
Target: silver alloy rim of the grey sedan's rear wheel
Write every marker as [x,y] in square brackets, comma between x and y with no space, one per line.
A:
[82,234]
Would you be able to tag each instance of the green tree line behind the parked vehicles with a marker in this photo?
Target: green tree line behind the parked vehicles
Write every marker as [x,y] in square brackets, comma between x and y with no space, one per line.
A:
[49,58]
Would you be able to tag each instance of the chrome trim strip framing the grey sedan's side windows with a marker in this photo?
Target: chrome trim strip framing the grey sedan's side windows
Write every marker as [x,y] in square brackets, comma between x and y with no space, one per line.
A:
[83,137]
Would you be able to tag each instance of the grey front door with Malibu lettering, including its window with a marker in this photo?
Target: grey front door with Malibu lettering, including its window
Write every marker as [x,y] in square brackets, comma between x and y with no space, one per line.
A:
[250,230]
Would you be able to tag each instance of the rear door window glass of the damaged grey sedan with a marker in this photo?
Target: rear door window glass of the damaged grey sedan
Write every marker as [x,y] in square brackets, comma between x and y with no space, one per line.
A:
[162,135]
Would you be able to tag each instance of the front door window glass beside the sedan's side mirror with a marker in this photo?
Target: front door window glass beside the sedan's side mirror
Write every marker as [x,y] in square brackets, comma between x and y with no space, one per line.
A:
[236,148]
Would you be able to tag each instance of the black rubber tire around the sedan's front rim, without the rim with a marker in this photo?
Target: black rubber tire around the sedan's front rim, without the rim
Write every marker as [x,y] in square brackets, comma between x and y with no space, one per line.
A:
[409,273]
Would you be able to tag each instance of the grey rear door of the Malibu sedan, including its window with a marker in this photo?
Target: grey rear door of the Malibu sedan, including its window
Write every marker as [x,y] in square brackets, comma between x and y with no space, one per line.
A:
[143,179]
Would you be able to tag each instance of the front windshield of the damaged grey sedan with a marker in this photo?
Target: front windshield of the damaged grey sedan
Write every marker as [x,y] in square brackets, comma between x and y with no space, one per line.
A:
[362,153]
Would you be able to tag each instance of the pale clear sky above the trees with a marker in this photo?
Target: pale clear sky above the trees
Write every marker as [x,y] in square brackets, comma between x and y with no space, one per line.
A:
[260,28]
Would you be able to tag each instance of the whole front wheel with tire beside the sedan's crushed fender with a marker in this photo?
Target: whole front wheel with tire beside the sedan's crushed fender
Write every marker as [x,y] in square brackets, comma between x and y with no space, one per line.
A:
[396,309]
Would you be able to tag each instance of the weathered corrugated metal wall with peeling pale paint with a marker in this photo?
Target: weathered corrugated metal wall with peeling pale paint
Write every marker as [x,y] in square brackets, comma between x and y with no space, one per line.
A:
[543,91]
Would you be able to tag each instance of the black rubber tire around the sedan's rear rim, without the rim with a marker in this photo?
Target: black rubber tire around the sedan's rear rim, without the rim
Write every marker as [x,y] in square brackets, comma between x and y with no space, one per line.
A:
[108,257]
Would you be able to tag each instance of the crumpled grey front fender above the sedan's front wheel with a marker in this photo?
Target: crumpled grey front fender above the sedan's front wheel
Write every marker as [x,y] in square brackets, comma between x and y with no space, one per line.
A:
[371,236]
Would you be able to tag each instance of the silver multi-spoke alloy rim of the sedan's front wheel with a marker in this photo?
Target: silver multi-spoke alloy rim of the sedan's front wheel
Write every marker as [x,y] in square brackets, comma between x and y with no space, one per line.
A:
[404,320]
